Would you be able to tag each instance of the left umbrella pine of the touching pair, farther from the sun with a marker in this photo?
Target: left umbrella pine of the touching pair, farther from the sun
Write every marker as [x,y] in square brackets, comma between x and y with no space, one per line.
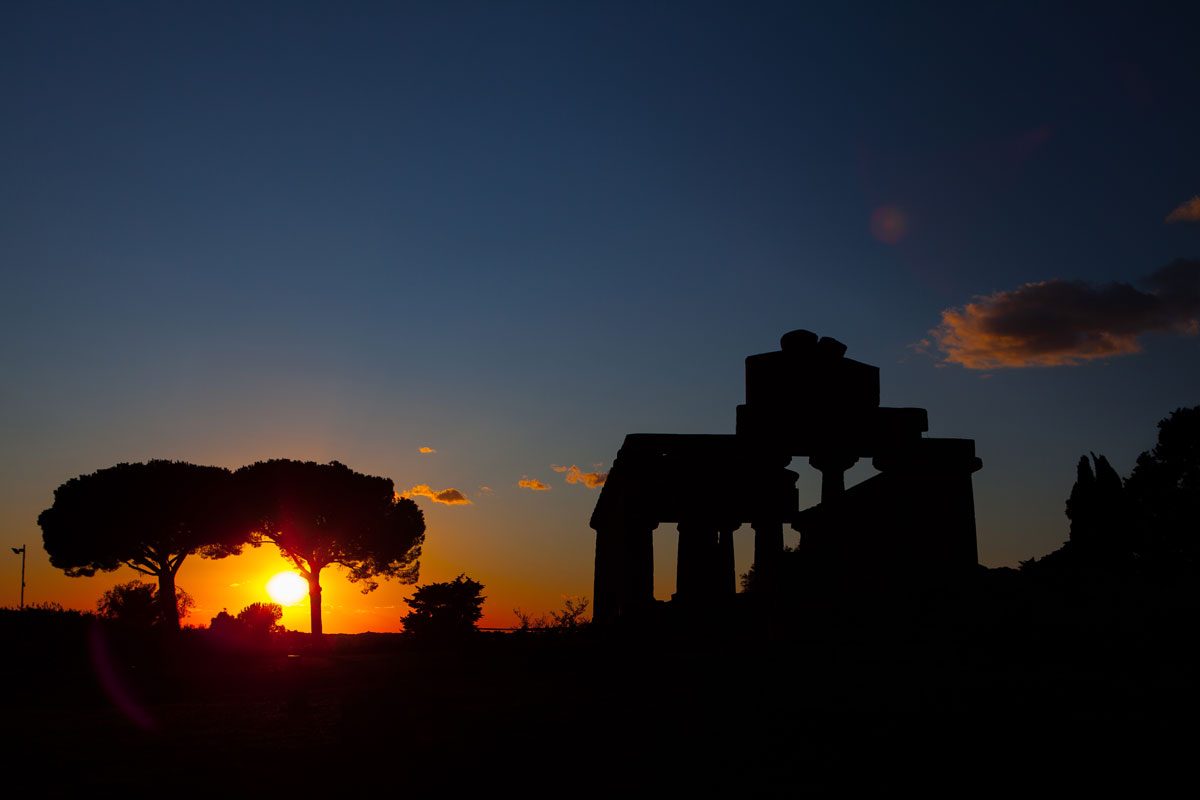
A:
[148,518]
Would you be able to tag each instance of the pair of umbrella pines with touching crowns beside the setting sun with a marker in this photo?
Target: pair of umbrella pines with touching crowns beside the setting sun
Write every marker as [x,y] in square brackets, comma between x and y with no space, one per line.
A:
[153,516]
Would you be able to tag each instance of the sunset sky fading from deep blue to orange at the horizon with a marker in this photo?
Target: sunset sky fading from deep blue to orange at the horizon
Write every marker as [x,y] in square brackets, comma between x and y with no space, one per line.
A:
[463,244]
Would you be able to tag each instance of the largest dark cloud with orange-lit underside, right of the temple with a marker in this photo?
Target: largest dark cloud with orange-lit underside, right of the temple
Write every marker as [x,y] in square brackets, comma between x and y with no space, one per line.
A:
[1057,323]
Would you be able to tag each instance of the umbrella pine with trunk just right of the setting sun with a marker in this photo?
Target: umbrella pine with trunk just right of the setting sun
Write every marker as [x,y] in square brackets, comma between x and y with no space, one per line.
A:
[323,515]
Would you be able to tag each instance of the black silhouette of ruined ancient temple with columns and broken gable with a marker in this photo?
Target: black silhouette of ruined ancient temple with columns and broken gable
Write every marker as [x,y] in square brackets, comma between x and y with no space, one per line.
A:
[915,519]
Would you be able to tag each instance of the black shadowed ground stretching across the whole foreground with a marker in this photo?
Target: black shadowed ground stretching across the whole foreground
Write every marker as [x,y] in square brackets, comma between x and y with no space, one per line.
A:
[1018,693]
